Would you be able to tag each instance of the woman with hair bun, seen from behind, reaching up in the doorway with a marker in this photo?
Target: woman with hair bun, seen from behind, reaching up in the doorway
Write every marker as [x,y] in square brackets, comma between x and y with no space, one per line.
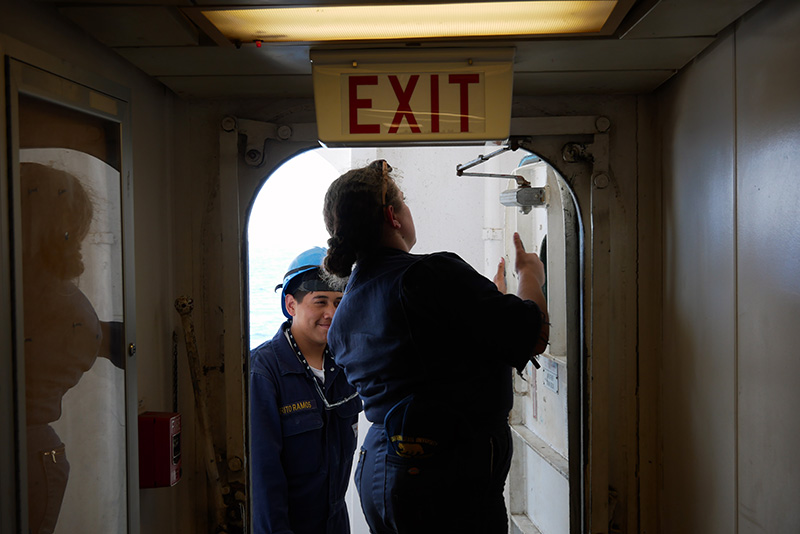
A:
[429,344]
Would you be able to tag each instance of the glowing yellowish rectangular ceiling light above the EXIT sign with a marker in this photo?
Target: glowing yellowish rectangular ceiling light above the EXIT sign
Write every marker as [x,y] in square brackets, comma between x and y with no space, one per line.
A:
[411,21]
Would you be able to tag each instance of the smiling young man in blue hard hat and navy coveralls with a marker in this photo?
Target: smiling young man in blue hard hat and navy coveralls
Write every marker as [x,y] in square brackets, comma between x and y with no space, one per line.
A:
[303,414]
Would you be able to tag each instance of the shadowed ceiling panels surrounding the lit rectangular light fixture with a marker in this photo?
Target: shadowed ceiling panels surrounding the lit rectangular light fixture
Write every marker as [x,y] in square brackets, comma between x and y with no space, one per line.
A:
[170,41]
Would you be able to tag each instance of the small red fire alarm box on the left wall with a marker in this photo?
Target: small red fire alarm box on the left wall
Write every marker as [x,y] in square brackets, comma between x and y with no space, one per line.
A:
[159,449]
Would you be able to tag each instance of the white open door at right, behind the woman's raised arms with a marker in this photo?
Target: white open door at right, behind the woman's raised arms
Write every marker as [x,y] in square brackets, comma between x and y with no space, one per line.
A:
[539,492]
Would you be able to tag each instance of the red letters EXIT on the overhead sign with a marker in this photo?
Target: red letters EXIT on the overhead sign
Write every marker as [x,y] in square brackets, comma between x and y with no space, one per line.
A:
[364,89]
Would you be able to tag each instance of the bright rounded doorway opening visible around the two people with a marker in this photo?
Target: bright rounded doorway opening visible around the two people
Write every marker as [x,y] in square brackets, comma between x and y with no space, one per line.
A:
[462,215]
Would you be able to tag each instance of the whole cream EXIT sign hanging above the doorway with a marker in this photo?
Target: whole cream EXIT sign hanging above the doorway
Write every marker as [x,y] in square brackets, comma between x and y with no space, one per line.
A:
[381,96]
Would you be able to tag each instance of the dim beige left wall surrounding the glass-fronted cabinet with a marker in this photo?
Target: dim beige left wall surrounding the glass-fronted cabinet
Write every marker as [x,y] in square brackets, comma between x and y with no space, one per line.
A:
[40,28]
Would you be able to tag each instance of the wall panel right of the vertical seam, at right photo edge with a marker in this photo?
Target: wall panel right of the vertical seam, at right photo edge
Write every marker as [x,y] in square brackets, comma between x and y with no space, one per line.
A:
[768,263]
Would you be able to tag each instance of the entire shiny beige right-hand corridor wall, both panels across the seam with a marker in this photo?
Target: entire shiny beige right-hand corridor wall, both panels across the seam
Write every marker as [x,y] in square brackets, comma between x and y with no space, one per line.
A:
[731,282]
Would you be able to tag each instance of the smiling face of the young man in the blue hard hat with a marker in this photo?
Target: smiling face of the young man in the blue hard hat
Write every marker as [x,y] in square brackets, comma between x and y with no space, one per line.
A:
[311,317]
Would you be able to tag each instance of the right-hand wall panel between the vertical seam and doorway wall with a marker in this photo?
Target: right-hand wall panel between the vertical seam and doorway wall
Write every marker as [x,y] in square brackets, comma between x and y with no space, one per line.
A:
[698,375]
